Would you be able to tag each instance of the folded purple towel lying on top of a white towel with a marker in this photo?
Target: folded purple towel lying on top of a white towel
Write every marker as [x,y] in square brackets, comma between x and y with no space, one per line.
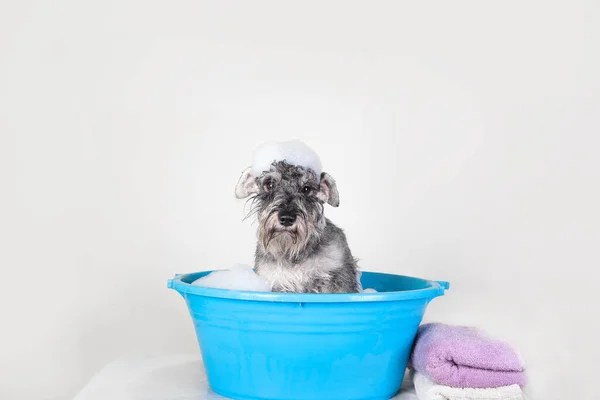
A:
[460,356]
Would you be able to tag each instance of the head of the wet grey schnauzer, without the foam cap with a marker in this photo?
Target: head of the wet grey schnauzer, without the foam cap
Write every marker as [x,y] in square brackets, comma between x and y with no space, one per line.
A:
[289,202]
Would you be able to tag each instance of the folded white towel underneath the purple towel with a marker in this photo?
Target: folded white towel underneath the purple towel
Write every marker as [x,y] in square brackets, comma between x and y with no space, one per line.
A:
[427,390]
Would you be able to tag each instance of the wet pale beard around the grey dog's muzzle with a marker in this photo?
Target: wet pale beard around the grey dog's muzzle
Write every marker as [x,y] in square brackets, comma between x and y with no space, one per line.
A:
[283,241]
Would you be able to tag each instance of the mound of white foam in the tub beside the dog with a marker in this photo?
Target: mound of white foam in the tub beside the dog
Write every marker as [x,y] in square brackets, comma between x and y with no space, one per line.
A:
[240,277]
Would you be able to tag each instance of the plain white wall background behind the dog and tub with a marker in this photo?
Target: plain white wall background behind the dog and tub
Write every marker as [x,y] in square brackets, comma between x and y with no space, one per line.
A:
[463,137]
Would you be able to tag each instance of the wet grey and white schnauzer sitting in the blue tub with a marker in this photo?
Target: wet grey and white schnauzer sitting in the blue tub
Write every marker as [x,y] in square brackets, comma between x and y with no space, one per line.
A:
[298,249]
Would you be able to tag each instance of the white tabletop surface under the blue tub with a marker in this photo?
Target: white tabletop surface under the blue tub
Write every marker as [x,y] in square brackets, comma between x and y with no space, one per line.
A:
[176,377]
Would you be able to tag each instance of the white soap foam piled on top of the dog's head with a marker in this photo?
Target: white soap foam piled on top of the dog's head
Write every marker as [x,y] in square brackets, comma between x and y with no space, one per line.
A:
[294,152]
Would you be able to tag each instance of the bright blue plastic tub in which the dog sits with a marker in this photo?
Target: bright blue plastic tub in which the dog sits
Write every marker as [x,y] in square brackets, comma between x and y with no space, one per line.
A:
[288,346]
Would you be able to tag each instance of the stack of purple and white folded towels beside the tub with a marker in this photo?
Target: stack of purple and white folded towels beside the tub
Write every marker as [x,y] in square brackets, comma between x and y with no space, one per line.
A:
[462,363]
